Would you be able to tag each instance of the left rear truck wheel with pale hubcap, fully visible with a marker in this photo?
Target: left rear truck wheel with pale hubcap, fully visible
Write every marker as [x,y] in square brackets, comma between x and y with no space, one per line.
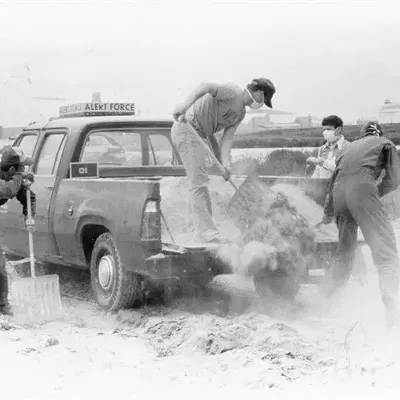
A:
[114,286]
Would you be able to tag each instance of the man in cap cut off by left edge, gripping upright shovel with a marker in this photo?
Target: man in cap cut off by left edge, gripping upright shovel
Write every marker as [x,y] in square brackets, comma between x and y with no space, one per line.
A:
[13,183]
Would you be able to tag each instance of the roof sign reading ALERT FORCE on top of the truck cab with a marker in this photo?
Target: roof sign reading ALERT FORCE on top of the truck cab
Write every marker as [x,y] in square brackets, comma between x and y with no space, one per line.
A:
[99,109]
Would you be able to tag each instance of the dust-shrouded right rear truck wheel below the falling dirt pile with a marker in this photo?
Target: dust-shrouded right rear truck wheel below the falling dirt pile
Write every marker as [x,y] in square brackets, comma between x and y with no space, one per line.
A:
[276,284]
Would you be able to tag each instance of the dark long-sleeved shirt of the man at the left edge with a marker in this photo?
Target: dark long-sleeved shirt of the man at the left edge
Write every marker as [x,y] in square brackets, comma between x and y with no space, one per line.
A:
[14,188]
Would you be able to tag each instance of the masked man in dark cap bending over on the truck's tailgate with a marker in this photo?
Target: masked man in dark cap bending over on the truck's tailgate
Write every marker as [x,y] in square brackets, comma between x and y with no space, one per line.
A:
[209,109]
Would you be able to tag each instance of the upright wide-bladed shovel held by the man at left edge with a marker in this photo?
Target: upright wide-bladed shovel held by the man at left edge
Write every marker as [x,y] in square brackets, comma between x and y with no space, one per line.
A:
[35,299]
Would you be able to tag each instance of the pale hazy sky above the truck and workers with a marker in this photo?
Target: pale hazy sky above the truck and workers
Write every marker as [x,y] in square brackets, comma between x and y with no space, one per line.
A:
[324,57]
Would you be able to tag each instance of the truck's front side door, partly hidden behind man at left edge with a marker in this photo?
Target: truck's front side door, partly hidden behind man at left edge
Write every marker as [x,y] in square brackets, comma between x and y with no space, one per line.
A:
[11,226]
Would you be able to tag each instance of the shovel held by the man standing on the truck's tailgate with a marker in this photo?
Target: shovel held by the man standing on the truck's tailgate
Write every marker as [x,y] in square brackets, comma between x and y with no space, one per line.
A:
[251,200]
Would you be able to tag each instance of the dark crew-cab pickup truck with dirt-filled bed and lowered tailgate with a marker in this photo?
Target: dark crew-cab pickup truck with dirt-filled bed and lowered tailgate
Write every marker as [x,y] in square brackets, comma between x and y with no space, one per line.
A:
[110,222]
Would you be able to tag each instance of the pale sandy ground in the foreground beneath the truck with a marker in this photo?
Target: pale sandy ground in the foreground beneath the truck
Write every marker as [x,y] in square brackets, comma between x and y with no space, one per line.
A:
[199,346]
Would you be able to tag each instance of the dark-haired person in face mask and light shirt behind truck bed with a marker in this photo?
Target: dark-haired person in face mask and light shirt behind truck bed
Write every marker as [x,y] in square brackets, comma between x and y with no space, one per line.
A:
[333,134]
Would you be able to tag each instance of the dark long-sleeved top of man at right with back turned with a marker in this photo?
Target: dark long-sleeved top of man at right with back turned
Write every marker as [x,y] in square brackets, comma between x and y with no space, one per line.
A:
[367,158]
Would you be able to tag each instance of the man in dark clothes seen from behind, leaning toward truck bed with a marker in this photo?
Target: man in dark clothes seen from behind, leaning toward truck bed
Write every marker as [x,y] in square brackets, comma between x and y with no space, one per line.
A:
[354,200]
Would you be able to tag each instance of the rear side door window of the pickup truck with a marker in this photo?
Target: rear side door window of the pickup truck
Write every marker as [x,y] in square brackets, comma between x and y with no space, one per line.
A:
[50,154]
